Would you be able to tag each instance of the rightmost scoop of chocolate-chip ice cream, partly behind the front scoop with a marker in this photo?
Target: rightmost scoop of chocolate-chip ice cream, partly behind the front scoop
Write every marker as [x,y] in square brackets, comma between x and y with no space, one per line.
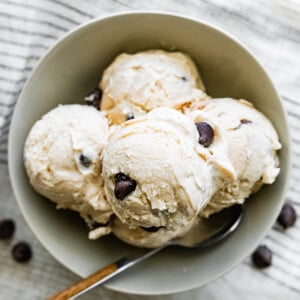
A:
[252,144]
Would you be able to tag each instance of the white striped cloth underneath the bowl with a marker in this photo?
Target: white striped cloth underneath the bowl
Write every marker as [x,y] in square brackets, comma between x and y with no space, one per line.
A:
[271,29]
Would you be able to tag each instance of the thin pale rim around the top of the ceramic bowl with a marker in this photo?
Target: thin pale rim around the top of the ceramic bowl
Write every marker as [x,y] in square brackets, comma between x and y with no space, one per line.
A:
[159,13]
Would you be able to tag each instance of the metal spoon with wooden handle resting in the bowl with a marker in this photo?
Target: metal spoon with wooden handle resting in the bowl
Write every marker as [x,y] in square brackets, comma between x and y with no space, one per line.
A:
[205,233]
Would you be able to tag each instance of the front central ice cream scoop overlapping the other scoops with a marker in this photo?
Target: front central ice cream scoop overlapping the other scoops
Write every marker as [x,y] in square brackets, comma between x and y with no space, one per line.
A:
[156,173]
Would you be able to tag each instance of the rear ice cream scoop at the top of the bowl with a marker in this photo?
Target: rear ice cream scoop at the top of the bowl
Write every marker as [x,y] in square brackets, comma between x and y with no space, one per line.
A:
[137,83]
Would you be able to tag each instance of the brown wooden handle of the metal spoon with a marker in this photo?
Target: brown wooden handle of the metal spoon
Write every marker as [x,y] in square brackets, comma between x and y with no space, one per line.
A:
[85,283]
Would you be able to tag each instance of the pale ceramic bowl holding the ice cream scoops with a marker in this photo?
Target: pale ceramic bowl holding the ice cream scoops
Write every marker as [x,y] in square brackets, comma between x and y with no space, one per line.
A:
[72,68]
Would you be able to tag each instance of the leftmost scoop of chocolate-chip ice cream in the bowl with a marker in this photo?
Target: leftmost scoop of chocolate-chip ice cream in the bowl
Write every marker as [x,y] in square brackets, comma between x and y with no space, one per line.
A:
[62,156]
